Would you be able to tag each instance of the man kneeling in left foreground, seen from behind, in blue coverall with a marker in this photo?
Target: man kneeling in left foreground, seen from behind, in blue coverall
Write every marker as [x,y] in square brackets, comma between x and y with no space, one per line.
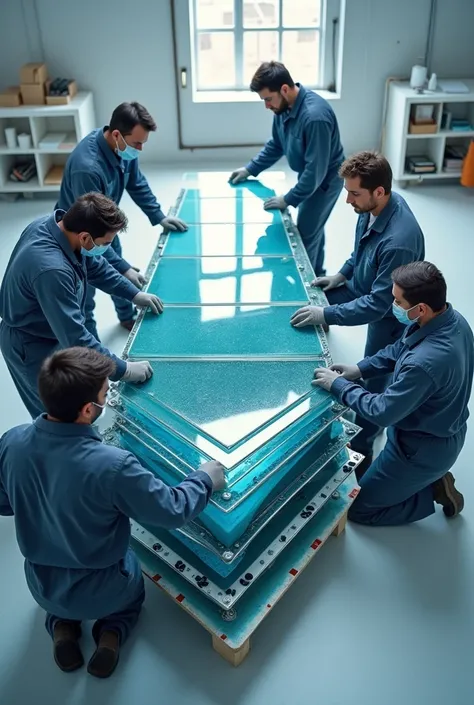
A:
[72,497]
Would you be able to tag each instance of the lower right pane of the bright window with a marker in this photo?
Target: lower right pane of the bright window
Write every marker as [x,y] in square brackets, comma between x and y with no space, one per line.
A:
[300,54]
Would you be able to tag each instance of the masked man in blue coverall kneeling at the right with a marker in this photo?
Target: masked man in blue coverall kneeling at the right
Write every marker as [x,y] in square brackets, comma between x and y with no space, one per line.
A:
[425,407]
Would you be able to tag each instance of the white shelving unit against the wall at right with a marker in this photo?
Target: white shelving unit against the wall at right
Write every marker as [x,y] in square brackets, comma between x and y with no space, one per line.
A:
[400,144]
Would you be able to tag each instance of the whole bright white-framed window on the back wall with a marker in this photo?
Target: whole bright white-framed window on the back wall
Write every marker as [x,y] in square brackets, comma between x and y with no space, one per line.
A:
[232,37]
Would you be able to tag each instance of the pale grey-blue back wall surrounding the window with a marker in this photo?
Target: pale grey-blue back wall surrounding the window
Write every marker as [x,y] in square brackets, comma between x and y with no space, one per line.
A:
[124,52]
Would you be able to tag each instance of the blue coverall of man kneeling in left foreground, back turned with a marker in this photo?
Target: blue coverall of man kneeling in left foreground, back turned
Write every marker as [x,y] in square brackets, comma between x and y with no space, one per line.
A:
[72,497]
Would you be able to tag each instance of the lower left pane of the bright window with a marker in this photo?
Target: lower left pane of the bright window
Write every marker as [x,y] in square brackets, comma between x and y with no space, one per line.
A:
[215,60]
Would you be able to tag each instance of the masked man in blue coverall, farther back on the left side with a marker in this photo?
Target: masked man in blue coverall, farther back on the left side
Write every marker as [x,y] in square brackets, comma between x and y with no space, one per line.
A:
[106,161]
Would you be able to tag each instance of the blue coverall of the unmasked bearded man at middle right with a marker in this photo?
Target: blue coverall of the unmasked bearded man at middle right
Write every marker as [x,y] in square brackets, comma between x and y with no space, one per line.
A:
[395,238]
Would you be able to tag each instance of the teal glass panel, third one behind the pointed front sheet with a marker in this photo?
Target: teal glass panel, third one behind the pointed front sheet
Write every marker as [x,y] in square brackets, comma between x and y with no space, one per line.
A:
[221,239]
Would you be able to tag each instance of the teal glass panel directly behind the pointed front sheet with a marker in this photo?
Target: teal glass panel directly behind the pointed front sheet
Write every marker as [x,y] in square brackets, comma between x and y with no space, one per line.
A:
[224,331]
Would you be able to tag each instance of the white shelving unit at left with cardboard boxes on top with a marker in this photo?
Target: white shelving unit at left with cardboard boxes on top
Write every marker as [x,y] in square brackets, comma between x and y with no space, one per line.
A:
[76,118]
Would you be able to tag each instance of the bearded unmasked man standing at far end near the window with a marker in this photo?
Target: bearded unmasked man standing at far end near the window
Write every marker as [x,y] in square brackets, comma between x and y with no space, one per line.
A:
[305,130]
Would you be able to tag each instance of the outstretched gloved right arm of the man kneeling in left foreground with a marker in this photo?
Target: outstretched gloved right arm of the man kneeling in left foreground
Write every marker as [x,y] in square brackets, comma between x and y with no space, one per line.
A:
[140,495]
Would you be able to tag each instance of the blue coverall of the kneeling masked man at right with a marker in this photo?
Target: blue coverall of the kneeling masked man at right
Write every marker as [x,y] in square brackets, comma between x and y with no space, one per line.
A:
[425,409]
